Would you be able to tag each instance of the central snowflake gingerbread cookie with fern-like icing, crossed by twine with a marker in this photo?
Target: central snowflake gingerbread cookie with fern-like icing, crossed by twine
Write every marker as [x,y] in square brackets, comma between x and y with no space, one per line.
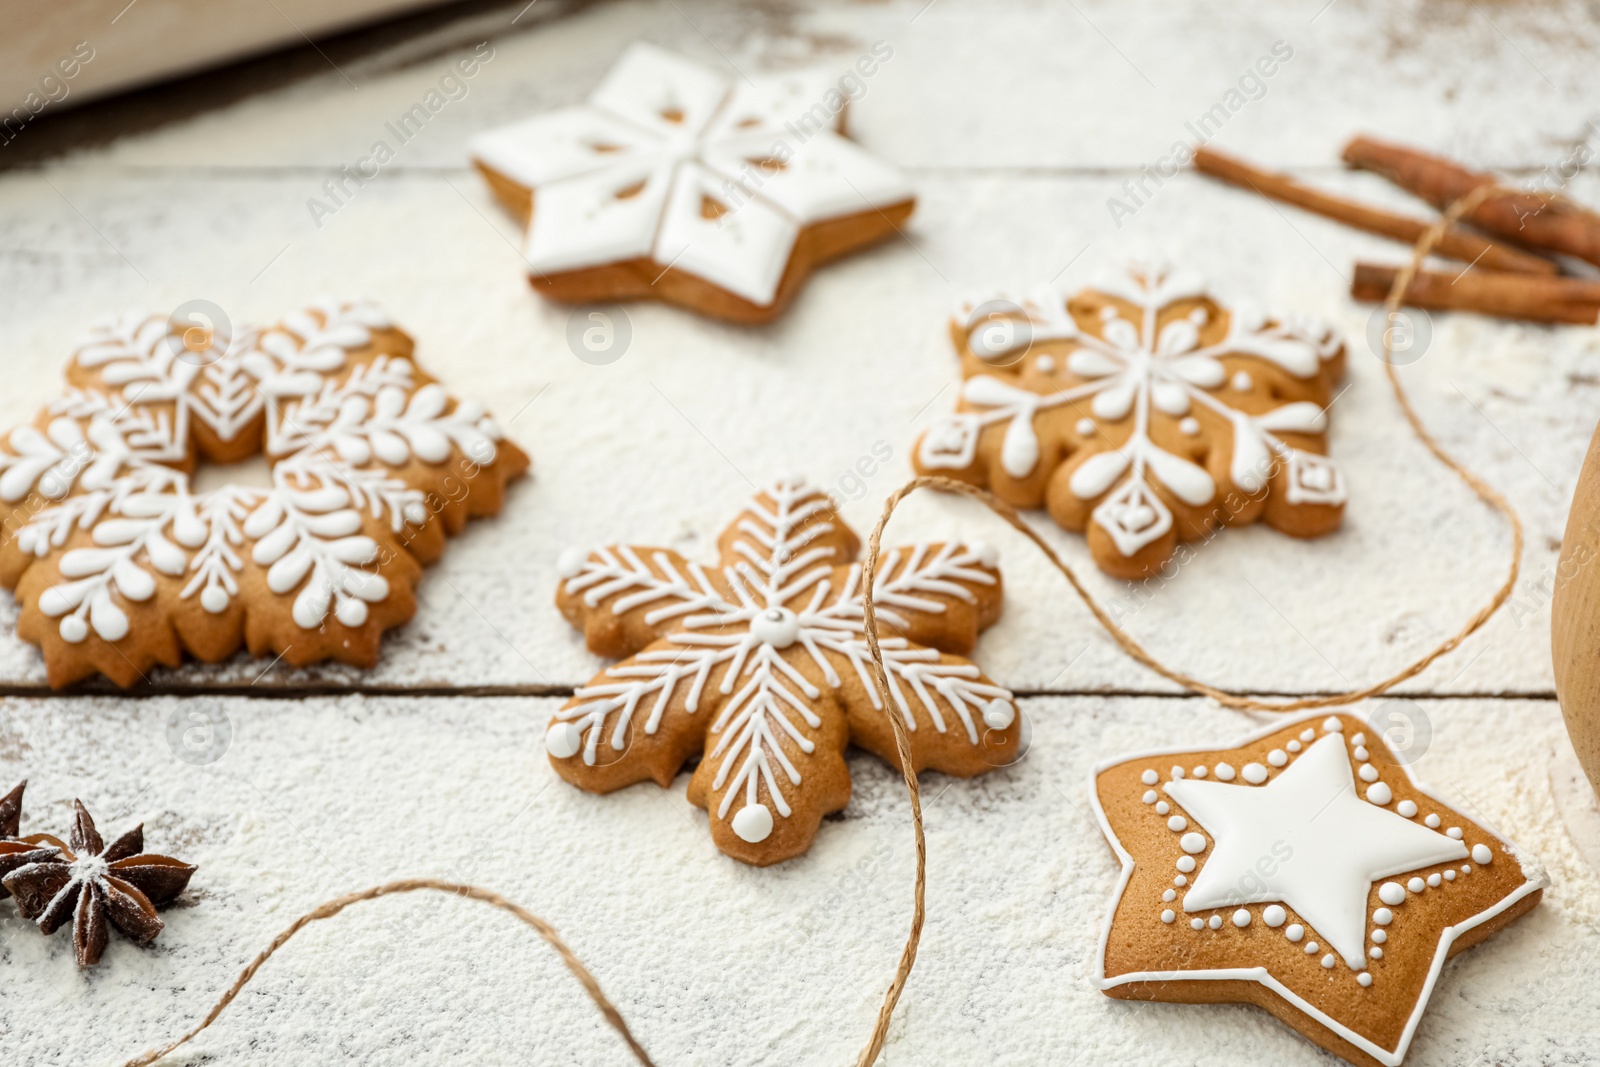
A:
[761,668]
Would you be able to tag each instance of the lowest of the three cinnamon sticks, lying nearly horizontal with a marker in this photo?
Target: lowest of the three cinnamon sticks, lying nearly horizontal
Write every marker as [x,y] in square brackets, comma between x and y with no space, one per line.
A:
[1487,292]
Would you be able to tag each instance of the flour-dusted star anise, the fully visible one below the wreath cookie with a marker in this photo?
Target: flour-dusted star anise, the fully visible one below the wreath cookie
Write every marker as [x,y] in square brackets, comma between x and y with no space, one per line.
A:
[95,885]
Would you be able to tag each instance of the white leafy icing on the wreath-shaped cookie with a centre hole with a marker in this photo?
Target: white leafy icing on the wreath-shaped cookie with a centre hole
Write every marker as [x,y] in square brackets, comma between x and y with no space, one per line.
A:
[106,462]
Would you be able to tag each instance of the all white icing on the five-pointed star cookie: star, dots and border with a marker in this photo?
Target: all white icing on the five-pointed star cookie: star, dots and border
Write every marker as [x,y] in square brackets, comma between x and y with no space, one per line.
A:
[1340,849]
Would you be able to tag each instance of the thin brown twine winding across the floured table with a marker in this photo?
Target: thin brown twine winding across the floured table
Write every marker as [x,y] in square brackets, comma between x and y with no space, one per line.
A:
[908,959]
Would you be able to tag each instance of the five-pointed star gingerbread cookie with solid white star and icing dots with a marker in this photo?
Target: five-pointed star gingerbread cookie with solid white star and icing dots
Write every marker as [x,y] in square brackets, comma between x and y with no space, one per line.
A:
[1302,871]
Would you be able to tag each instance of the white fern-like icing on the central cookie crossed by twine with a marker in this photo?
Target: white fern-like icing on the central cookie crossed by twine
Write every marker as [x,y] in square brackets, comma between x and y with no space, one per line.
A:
[780,569]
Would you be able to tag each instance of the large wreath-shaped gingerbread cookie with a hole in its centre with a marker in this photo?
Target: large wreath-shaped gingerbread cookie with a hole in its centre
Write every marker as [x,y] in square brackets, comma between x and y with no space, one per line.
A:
[121,567]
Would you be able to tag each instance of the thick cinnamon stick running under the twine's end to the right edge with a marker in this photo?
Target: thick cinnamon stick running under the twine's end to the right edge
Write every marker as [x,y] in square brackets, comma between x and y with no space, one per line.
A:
[1530,220]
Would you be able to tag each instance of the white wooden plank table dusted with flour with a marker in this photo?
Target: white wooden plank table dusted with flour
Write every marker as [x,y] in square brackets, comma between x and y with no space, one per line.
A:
[1018,122]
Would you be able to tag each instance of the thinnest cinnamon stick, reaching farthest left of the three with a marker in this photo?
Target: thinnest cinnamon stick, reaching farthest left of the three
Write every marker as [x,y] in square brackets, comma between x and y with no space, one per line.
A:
[1457,244]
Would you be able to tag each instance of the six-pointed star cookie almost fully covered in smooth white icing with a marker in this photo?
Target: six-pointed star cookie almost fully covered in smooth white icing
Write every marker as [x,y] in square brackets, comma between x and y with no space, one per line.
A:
[679,183]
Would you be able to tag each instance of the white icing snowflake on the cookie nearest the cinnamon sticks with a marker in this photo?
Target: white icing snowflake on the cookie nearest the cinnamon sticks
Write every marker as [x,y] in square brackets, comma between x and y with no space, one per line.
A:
[1156,377]
